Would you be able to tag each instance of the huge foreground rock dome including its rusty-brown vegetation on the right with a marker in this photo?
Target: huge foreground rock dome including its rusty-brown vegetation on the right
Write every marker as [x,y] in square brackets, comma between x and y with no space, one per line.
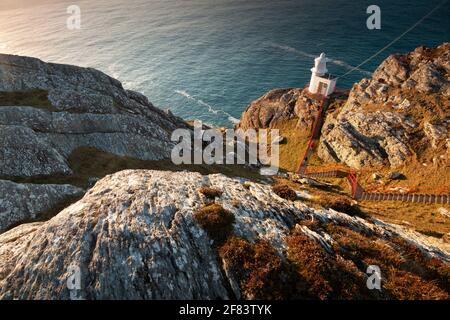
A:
[135,236]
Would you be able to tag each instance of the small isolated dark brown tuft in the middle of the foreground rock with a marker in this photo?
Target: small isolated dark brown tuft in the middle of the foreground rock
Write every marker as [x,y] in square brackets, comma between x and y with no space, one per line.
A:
[217,221]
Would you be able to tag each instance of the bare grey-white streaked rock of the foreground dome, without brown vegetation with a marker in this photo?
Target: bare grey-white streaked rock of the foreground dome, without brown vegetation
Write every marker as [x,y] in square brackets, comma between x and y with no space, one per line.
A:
[133,236]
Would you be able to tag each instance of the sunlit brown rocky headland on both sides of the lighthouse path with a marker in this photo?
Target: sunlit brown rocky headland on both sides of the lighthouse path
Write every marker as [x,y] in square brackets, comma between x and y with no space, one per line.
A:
[402,112]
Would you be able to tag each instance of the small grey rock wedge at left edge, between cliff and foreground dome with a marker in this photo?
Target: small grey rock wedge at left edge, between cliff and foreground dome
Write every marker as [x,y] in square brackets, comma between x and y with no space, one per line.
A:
[24,201]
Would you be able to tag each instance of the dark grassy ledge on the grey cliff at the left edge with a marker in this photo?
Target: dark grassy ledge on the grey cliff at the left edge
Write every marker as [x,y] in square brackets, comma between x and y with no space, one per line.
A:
[32,98]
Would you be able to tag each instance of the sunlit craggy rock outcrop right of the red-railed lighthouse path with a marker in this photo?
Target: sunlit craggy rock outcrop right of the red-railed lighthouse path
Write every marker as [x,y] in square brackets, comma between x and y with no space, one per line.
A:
[381,121]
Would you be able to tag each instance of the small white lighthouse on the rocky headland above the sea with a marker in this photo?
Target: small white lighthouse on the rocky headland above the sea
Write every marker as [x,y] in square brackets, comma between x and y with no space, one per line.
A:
[321,81]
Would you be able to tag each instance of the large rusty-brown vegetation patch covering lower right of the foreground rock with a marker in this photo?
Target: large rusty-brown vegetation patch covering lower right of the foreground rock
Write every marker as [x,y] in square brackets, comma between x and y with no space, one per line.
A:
[309,272]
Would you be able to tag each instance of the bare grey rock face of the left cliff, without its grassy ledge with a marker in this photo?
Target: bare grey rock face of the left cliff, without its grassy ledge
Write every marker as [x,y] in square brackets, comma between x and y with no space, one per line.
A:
[88,109]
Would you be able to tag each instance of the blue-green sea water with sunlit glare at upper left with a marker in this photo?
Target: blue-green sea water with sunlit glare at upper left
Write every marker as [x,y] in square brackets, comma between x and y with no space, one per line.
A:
[207,59]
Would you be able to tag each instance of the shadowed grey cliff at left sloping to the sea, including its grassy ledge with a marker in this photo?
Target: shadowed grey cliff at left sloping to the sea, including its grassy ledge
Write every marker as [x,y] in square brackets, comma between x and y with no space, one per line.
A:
[47,111]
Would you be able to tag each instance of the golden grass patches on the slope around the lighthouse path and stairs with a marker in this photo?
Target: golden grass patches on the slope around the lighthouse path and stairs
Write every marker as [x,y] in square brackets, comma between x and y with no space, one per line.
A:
[432,178]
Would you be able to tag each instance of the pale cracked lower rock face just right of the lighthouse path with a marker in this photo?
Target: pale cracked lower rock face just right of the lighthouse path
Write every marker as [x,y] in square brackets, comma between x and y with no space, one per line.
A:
[359,139]
